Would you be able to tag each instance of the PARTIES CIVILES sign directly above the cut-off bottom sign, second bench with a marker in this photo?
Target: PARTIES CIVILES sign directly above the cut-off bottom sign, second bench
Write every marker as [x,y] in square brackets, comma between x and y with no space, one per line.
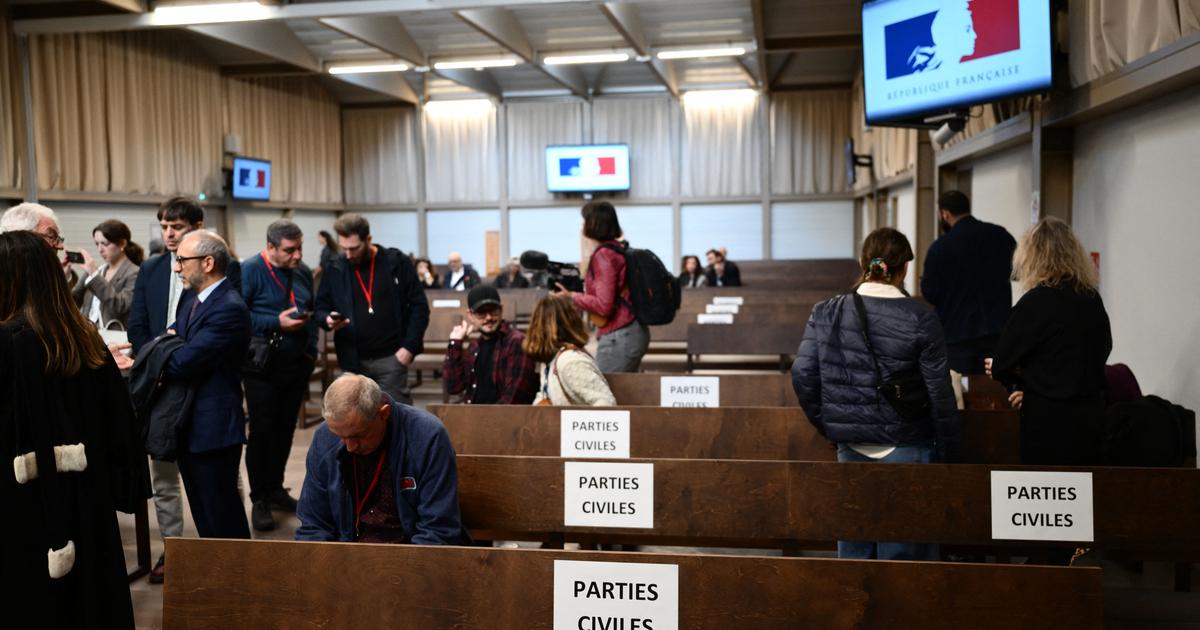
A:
[609,495]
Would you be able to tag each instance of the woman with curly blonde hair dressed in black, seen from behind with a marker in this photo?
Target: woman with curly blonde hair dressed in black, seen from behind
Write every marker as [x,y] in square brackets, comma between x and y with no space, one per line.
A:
[1053,351]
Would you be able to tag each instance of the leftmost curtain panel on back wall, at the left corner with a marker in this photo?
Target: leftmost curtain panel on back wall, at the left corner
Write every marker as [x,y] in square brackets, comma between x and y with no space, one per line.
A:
[381,157]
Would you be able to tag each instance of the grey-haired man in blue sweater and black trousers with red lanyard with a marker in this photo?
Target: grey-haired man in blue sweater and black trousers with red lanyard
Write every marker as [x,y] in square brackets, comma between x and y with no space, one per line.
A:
[278,289]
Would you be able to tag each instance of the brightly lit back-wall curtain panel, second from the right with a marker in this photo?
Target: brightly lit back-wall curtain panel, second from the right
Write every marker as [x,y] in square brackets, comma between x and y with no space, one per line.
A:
[722,145]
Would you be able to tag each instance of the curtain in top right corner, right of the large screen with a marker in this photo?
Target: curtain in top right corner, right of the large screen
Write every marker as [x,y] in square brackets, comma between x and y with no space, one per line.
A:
[1108,34]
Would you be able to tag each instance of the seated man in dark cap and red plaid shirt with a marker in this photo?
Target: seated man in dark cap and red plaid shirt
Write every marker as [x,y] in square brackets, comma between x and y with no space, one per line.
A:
[494,370]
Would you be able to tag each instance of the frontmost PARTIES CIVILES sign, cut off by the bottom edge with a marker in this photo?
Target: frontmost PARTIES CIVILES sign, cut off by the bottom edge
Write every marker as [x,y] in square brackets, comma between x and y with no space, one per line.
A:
[599,596]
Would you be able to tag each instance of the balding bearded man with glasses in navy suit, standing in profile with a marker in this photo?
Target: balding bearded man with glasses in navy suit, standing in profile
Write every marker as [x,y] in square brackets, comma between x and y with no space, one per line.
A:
[214,323]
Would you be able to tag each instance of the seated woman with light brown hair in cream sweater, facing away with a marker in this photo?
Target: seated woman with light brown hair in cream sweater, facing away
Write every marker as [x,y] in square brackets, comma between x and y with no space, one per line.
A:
[569,375]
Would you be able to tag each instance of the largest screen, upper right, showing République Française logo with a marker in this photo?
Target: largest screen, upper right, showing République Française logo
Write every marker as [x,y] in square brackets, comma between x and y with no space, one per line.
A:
[923,58]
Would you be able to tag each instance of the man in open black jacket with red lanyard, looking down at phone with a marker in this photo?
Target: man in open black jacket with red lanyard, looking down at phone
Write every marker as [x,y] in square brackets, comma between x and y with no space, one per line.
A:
[376,307]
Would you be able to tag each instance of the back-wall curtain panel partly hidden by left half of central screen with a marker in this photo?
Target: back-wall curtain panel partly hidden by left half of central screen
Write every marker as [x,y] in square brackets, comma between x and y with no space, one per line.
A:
[531,129]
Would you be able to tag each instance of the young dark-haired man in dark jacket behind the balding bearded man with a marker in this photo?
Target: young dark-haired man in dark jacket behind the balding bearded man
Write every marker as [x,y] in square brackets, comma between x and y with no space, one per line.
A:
[157,297]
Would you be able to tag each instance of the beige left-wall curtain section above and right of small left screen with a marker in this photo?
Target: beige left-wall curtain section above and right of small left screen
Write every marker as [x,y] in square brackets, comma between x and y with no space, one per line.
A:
[296,124]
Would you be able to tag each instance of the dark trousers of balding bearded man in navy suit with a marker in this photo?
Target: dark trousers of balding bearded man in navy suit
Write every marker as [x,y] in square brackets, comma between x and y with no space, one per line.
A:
[211,479]
